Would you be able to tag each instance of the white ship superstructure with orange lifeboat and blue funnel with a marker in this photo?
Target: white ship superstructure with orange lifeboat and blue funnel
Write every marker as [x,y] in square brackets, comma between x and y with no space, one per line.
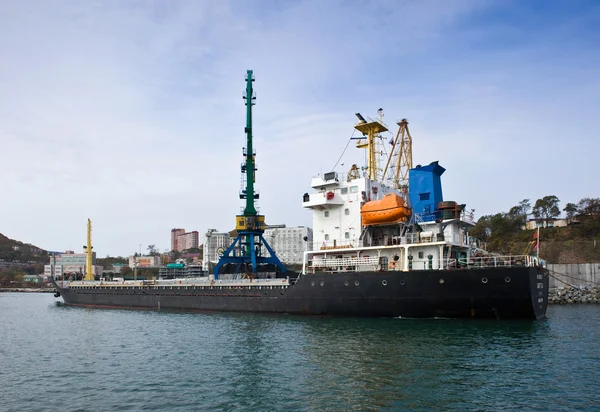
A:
[389,235]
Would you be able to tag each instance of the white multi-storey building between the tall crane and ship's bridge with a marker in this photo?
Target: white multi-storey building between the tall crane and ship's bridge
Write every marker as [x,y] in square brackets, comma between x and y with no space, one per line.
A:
[288,242]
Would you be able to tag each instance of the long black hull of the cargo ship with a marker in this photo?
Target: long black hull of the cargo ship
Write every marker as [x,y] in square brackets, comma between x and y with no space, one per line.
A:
[499,293]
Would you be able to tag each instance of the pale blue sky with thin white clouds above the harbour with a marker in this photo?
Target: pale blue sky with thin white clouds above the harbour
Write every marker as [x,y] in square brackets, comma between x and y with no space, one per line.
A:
[130,112]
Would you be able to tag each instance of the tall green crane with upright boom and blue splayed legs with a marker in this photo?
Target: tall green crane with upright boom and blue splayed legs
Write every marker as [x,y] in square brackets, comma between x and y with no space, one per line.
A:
[245,254]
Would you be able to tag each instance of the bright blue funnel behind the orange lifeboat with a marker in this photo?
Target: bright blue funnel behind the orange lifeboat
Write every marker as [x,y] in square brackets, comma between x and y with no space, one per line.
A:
[425,190]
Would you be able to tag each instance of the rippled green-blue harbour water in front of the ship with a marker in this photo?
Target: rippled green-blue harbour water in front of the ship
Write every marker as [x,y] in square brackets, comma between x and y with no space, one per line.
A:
[56,358]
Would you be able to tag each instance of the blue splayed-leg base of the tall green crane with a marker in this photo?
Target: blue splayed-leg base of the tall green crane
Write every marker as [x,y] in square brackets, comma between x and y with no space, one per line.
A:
[250,256]
